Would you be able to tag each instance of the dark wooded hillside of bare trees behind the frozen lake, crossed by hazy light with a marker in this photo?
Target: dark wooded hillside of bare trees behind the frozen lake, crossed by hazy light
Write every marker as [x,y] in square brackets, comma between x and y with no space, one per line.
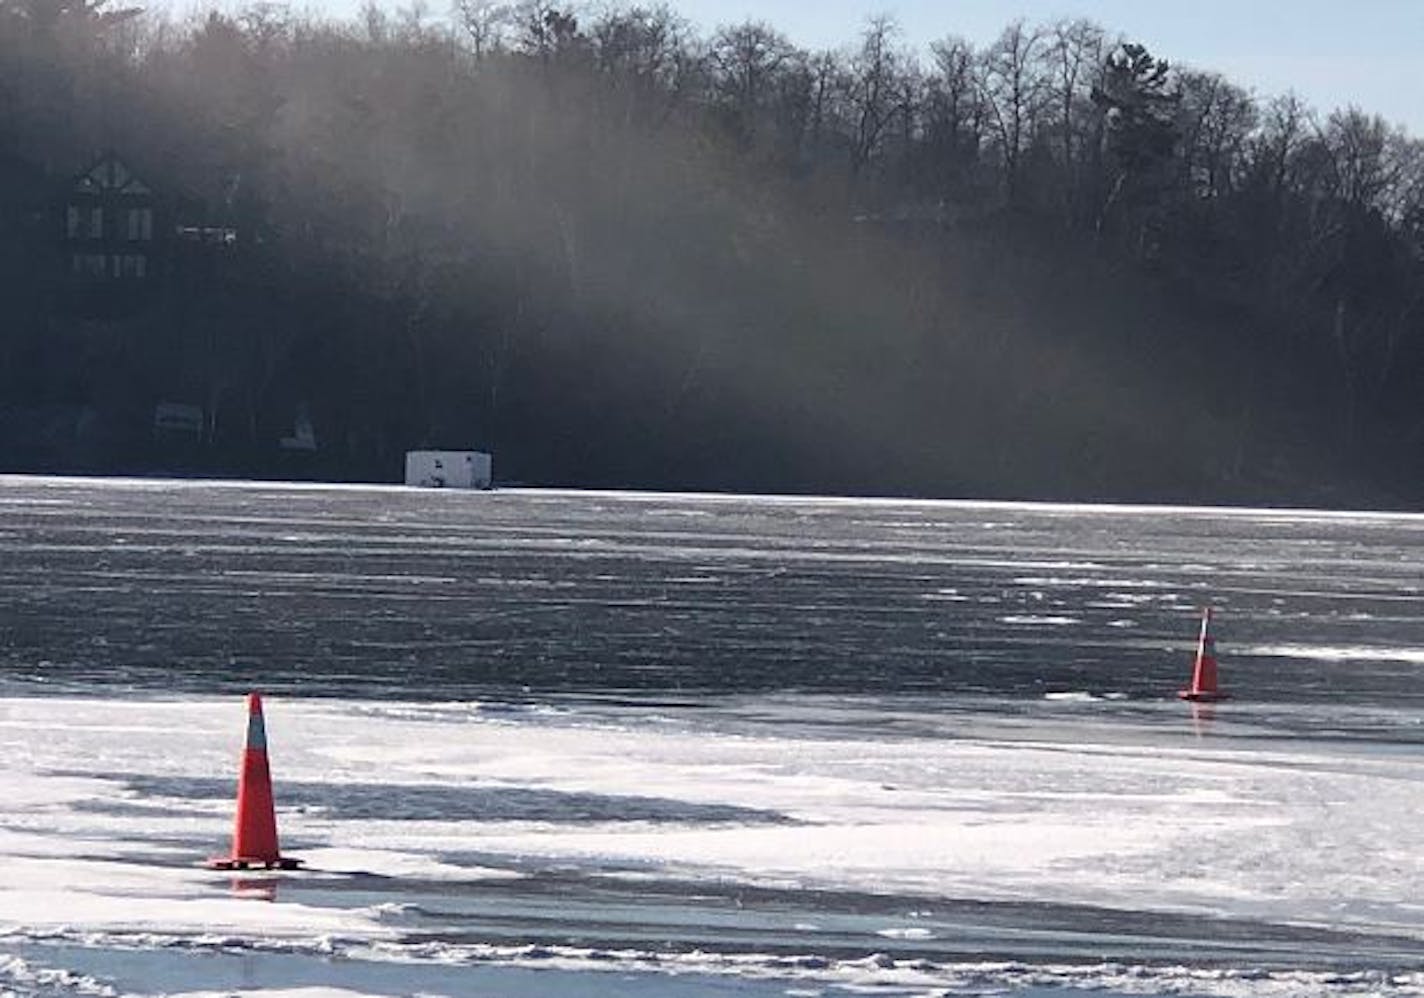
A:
[617,251]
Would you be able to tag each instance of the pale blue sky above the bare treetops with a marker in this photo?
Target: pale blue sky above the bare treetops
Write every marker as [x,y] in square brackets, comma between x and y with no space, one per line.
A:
[1329,52]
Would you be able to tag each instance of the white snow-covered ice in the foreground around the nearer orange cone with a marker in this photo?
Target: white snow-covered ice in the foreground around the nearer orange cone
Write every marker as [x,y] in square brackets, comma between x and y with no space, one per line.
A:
[1321,838]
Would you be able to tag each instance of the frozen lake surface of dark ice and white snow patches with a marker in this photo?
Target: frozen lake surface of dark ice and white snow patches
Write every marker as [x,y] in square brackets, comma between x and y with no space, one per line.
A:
[579,744]
